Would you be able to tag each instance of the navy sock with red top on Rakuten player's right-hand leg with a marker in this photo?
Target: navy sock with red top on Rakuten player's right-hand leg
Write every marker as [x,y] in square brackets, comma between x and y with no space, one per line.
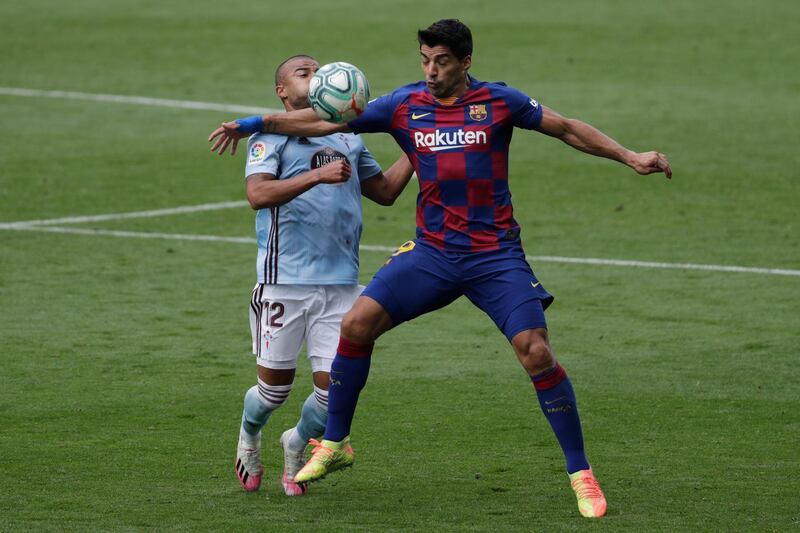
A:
[557,400]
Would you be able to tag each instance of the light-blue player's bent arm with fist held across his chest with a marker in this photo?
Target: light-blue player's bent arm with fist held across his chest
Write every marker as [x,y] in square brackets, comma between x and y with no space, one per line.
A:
[265,190]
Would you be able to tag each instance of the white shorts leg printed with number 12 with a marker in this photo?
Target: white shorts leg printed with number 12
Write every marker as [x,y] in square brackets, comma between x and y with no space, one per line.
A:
[278,323]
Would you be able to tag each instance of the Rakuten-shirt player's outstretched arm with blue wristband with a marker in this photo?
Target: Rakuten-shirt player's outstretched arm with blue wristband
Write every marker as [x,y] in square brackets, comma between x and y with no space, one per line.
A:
[300,123]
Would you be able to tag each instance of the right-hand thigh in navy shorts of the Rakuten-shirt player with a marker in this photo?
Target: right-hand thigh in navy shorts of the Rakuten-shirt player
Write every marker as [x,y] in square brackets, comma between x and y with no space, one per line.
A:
[507,290]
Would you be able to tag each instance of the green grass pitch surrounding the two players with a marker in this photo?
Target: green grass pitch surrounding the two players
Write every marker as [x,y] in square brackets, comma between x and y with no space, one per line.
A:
[123,360]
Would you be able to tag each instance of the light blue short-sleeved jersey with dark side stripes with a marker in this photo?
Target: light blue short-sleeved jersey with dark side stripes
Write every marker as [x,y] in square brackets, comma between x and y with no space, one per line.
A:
[312,239]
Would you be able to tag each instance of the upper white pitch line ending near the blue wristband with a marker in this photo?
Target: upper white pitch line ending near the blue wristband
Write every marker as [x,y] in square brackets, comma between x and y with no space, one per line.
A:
[136,100]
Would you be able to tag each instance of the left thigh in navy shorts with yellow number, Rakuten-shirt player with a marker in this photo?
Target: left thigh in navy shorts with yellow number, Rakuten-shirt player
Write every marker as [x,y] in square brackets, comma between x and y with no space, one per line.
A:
[414,280]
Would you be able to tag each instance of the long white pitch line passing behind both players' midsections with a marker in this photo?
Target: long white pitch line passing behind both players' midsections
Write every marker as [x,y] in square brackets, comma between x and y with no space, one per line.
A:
[388,249]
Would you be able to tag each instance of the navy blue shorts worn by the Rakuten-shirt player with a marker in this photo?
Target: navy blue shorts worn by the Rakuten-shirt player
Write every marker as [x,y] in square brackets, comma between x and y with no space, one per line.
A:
[419,278]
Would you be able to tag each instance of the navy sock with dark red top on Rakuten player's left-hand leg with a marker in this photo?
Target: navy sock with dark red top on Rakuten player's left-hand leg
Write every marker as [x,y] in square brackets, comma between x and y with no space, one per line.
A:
[349,373]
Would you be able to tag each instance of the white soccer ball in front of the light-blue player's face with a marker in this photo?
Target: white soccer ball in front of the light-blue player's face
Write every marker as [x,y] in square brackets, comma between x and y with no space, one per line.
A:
[338,92]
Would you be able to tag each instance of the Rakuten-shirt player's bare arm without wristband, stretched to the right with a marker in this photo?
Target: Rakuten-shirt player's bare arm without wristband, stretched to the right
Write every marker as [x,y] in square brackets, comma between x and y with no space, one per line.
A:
[589,139]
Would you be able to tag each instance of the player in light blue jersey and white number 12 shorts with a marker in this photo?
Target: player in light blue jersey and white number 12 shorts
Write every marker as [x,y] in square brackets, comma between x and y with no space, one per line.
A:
[308,195]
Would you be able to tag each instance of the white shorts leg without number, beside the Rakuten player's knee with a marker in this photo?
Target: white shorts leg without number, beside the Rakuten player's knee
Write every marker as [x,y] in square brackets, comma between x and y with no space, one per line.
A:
[324,322]
